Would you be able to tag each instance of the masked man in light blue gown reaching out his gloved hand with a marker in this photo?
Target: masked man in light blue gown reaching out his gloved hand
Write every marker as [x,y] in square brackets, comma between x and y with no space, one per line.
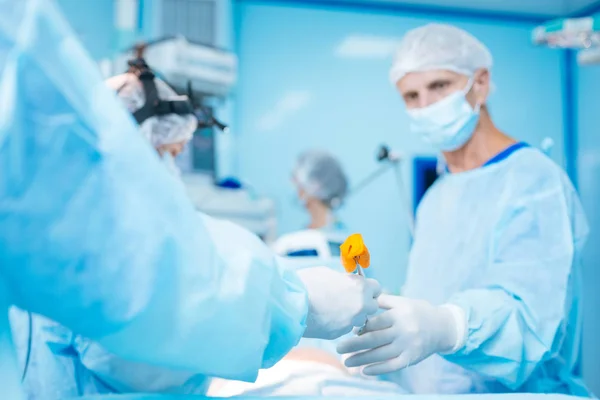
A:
[491,301]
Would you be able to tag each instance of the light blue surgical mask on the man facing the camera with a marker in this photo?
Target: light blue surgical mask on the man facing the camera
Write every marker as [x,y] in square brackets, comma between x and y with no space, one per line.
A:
[447,124]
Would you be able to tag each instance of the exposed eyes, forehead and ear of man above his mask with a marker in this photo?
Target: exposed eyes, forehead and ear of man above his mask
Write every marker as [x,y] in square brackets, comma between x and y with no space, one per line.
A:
[422,89]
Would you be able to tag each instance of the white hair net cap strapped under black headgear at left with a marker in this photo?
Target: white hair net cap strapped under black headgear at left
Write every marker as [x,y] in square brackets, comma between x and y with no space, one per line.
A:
[159,130]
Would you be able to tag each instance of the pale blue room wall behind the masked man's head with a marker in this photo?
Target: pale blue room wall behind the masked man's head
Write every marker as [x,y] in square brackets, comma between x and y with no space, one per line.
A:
[318,77]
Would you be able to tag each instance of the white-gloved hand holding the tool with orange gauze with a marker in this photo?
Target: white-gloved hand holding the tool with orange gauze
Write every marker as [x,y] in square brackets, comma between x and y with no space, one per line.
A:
[337,302]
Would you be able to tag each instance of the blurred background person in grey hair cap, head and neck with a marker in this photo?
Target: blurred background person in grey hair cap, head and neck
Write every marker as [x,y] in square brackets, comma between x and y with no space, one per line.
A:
[321,187]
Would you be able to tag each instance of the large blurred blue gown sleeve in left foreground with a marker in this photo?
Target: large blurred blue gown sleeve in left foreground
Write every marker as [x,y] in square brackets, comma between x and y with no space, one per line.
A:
[96,234]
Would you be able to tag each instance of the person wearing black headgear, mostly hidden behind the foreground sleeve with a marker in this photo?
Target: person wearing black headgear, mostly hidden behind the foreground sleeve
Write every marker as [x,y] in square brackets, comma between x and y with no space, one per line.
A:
[57,363]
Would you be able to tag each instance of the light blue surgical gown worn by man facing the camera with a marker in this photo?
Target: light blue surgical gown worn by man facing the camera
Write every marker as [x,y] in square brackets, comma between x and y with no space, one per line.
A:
[503,242]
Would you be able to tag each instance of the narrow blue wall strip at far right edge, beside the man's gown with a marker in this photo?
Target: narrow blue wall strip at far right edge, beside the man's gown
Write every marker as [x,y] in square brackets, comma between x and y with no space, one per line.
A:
[588,167]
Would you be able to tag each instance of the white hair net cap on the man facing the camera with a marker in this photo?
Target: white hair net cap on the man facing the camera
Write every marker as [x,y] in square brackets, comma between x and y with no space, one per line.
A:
[439,46]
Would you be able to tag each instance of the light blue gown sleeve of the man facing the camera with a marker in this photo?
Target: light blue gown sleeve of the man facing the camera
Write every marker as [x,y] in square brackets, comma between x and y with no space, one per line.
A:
[516,319]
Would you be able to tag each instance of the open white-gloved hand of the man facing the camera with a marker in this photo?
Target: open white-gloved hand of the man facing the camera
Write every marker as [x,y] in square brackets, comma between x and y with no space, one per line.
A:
[408,332]
